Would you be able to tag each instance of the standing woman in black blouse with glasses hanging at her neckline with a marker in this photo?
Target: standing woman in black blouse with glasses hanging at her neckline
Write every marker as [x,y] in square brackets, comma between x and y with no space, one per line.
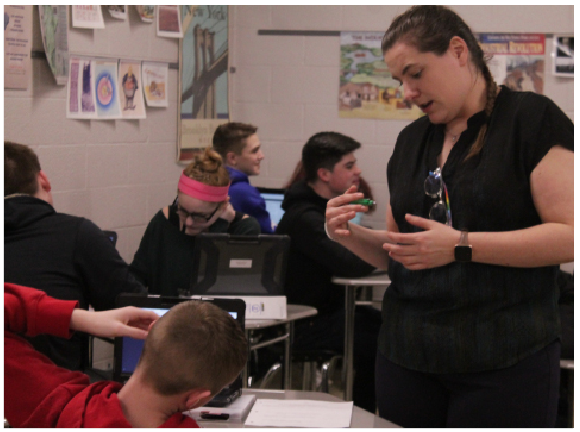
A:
[479,219]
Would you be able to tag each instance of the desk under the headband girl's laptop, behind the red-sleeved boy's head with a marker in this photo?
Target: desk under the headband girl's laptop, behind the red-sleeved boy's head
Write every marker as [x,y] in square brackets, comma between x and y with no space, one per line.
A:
[293,313]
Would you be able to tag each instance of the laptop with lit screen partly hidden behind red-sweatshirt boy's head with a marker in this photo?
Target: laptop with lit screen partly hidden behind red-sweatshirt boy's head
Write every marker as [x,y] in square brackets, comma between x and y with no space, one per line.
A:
[127,350]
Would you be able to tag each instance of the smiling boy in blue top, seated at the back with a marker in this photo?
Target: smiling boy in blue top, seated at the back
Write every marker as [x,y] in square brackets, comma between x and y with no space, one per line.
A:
[239,146]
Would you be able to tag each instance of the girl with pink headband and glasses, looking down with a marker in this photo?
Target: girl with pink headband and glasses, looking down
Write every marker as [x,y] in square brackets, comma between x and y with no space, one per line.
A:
[164,259]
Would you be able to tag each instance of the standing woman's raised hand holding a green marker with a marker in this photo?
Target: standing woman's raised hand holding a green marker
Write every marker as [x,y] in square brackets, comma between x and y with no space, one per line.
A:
[339,212]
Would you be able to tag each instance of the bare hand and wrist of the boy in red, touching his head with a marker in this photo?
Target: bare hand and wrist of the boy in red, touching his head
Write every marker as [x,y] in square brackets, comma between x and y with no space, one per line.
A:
[128,321]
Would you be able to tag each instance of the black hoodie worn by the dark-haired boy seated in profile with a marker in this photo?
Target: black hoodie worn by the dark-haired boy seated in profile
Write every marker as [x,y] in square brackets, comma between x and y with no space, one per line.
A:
[314,259]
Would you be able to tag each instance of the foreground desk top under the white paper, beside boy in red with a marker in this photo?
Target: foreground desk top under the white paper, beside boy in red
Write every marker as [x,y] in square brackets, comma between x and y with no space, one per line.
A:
[360,417]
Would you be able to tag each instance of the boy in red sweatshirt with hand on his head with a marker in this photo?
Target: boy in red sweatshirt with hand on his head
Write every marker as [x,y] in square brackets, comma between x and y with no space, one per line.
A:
[189,355]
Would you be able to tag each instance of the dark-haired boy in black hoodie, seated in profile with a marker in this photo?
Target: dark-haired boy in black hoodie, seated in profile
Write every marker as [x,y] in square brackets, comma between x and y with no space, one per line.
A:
[330,169]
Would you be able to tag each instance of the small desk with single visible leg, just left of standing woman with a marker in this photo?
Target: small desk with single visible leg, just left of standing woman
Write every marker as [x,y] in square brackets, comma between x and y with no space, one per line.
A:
[350,285]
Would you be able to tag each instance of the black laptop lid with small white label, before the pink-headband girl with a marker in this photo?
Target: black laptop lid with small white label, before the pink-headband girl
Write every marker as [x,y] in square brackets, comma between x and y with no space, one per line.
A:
[239,265]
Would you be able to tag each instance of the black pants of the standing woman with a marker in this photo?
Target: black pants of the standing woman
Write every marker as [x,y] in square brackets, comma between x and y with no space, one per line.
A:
[523,395]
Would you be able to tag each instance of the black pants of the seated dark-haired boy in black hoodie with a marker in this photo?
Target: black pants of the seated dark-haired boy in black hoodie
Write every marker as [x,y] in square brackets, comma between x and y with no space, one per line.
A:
[326,332]
